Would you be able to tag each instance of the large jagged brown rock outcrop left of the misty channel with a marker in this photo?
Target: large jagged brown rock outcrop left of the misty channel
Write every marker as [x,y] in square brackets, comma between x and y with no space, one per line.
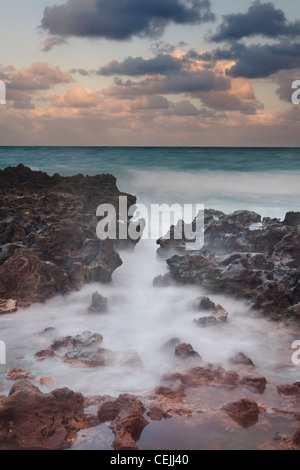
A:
[48,240]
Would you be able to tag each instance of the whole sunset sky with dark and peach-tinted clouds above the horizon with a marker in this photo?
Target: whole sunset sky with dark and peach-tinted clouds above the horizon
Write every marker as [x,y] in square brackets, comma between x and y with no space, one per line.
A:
[150,72]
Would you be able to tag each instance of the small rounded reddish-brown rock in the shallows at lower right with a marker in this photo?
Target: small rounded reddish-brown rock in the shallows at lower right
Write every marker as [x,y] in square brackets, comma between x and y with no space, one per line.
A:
[244,412]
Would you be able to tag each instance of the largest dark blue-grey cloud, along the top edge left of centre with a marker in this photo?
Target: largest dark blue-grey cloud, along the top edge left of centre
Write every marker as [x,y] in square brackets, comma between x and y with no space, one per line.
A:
[122,19]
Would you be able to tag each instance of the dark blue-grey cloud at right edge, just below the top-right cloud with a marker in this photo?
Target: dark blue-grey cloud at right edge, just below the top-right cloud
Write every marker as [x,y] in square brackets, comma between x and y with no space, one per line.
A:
[259,61]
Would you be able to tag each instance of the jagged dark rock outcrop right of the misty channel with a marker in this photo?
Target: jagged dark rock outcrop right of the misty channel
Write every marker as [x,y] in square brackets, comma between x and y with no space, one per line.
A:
[245,257]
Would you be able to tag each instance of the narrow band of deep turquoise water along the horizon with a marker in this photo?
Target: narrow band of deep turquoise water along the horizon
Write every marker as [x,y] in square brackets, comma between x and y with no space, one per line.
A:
[91,160]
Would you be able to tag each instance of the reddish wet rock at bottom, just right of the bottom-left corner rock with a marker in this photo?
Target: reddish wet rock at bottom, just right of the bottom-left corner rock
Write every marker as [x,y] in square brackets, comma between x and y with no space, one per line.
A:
[126,414]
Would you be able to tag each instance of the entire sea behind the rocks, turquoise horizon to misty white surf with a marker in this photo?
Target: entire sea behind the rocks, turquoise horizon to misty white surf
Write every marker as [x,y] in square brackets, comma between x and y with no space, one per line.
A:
[262,179]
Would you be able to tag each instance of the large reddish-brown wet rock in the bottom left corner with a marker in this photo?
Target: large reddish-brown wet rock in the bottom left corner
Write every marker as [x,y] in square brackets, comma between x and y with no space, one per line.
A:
[34,420]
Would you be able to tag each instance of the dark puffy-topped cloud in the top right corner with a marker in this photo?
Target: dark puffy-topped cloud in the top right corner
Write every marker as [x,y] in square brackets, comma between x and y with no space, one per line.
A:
[261,19]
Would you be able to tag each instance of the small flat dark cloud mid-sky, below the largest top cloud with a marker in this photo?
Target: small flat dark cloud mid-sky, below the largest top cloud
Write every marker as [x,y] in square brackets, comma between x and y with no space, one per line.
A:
[161,64]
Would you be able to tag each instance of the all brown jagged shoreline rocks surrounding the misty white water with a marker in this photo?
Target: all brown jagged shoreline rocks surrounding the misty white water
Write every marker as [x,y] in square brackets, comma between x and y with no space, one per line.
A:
[49,247]
